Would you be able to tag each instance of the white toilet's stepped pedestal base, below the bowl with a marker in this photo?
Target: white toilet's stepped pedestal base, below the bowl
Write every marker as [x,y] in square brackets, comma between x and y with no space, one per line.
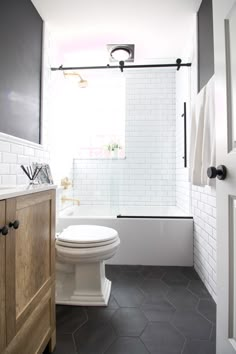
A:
[85,286]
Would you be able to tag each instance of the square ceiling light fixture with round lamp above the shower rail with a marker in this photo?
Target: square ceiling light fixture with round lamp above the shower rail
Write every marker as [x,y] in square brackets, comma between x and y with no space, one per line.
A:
[121,52]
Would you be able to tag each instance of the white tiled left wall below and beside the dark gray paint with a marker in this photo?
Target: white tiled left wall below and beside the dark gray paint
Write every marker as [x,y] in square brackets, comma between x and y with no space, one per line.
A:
[14,151]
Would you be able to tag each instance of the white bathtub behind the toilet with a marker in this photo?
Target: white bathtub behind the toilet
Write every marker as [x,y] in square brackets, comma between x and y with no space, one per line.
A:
[149,235]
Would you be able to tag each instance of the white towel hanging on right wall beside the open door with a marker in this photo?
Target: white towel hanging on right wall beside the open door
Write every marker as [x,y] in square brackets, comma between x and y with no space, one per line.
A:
[202,137]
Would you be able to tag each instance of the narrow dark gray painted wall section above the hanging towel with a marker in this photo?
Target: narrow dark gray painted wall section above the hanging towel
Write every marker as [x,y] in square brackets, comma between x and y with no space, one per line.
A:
[205,43]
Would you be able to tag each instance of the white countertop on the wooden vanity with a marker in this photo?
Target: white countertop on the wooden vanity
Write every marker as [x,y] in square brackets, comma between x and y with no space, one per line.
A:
[16,191]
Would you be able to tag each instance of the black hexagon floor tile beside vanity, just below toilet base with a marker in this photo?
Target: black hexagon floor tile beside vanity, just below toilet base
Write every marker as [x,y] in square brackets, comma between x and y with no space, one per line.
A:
[69,318]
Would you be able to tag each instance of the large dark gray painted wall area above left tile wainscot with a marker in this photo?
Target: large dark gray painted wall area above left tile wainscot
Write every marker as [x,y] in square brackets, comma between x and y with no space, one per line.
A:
[20,69]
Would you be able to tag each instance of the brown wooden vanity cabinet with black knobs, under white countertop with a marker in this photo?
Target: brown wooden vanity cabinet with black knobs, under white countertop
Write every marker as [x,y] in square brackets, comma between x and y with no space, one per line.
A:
[28,271]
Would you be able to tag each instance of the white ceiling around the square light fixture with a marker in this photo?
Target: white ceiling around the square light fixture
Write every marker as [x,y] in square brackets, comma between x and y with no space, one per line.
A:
[82,28]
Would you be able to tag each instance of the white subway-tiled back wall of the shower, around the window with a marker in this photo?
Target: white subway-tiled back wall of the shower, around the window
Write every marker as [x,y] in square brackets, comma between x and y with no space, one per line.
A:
[147,174]
